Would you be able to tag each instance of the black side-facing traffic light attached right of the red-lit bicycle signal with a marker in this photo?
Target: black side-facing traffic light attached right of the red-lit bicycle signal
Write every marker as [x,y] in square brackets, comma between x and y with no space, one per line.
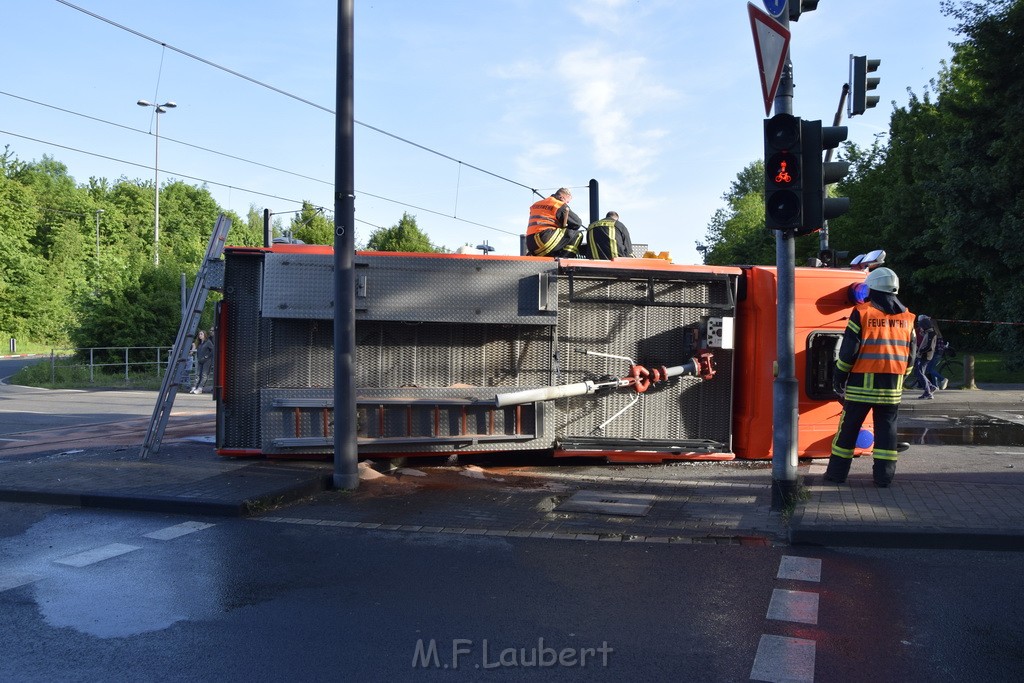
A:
[818,206]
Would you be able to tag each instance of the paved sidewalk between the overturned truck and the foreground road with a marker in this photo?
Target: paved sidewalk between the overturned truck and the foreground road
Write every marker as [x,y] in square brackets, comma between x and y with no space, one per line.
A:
[946,495]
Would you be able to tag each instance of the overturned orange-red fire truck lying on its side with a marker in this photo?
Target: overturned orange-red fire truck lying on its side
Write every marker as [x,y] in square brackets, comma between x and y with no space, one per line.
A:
[635,360]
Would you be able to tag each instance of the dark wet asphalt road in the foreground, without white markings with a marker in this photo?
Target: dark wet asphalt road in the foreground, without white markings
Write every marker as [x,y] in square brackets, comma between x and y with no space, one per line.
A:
[92,595]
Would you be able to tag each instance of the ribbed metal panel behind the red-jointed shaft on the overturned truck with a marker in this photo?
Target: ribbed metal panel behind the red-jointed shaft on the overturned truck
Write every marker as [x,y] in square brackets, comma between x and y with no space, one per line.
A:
[649,322]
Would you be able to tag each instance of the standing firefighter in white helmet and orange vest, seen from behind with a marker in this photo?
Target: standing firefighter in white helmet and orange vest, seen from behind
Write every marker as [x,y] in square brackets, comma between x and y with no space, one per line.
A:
[877,353]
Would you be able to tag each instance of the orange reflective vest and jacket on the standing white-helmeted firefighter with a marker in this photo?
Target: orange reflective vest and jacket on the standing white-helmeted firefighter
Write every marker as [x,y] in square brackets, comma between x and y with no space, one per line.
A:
[877,352]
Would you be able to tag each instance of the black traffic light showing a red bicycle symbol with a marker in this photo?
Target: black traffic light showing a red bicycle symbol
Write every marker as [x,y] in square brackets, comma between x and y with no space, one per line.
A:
[784,201]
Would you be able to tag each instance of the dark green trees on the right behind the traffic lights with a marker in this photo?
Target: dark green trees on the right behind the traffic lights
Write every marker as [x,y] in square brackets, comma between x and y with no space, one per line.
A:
[945,197]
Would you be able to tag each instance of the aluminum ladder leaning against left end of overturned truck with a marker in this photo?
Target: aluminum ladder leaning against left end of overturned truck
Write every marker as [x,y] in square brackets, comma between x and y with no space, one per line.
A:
[210,276]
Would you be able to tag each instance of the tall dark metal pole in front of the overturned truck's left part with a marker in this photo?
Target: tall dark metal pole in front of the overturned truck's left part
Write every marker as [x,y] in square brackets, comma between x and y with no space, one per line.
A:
[347,471]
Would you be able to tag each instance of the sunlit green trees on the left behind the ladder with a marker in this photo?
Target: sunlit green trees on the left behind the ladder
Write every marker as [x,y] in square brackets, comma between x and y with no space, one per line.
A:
[77,265]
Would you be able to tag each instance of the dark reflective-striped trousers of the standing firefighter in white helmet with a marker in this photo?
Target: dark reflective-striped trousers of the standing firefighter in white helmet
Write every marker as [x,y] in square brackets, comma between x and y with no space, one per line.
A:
[846,440]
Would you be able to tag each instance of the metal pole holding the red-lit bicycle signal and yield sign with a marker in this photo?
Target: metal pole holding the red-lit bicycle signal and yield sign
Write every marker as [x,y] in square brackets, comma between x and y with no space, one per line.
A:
[785,390]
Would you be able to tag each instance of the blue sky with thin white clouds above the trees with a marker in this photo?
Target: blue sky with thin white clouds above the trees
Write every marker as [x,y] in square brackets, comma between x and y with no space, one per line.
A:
[481,103]
